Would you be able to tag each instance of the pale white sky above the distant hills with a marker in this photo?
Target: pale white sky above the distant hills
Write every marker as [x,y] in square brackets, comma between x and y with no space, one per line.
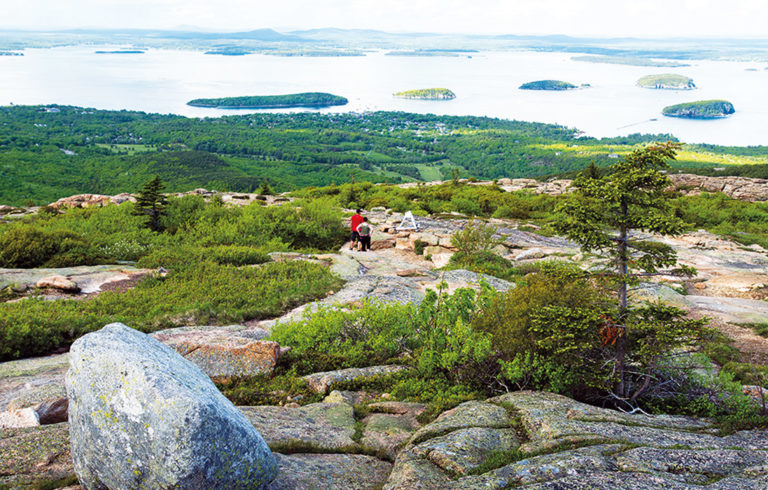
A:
[594,18]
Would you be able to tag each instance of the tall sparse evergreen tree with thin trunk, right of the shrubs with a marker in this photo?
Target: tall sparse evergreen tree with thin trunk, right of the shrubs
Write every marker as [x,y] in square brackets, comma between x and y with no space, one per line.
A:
[602,215]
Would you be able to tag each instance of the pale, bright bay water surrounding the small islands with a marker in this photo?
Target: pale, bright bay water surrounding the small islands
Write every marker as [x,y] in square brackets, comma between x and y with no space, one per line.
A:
[486,84]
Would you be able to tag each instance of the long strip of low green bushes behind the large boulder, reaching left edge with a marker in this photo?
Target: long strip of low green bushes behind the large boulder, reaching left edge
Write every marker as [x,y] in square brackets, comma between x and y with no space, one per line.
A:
[204,294]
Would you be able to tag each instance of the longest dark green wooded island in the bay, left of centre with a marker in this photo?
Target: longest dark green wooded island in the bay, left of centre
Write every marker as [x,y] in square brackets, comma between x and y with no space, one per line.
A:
[307,99]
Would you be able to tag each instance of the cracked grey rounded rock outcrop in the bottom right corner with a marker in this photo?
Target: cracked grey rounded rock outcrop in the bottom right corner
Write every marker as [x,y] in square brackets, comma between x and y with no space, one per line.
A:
[551,441]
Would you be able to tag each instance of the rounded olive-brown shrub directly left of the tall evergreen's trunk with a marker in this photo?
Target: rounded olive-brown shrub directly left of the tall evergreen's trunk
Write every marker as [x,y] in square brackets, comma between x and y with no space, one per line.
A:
[545,332]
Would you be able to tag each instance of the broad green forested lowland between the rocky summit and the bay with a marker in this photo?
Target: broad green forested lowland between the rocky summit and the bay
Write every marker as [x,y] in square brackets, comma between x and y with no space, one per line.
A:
[116,151]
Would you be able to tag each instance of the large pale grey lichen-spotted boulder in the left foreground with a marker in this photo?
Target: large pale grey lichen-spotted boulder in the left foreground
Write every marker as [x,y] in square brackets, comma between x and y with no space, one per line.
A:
[141,416]
